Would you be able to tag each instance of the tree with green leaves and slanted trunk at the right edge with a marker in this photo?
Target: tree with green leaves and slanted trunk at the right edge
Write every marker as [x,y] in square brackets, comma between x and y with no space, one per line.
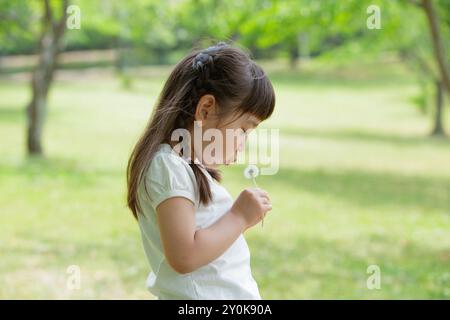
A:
[406,30]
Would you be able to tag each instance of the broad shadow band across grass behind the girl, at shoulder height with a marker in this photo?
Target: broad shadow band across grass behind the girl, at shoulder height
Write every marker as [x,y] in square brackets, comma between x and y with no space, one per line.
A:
[357,187]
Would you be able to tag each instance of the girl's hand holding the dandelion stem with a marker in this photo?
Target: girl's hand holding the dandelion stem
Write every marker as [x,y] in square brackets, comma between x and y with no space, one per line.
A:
[251,206]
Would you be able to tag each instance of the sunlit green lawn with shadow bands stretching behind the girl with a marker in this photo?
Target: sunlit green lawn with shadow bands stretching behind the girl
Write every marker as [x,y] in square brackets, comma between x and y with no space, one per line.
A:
[360,183]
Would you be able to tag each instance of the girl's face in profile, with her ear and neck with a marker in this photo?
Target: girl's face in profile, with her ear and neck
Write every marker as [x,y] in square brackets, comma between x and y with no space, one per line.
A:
[223,136]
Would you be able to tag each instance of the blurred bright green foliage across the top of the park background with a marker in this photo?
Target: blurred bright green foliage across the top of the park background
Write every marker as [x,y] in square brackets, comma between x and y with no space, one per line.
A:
[151,30]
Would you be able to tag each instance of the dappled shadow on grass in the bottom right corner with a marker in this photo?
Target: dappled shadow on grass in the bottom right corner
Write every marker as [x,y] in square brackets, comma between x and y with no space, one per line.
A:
[320,268]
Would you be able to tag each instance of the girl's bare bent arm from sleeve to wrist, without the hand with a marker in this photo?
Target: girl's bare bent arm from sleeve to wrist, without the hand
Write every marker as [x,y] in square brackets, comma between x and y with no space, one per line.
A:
[187,249]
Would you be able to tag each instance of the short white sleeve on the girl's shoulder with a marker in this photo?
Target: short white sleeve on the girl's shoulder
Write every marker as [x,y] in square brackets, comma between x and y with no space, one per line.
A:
[169,176]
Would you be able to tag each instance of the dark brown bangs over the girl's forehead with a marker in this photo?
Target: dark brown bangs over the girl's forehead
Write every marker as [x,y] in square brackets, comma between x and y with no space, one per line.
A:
[260,101]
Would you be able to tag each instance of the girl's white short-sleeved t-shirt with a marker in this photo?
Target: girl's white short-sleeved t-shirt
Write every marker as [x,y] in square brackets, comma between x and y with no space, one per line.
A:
[227,277]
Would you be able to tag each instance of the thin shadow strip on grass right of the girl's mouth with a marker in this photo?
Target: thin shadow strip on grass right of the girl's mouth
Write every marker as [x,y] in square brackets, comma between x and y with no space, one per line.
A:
[367,136]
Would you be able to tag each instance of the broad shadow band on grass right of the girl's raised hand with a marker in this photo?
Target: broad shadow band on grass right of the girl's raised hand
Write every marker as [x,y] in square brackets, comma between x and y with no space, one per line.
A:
[363,188]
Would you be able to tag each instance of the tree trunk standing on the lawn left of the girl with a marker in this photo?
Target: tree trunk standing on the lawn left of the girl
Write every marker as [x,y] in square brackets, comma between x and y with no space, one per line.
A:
[49,48]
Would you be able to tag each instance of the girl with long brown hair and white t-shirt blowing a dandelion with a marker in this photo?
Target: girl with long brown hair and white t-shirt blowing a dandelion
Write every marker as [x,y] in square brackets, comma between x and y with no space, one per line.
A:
[191,229]
